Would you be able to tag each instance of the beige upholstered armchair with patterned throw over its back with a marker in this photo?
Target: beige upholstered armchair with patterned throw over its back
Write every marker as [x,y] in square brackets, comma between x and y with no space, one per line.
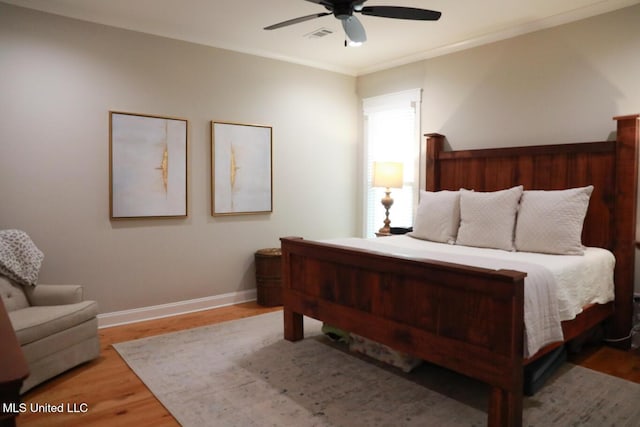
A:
[55,327]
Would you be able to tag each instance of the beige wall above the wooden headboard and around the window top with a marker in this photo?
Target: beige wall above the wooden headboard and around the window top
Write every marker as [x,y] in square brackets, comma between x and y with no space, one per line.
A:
[558,85]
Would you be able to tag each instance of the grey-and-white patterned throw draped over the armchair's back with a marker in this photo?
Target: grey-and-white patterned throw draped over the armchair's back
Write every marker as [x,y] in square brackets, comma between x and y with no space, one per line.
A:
[20,259]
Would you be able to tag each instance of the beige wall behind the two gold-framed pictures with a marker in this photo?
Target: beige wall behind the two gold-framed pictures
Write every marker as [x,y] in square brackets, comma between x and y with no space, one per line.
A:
[58,80]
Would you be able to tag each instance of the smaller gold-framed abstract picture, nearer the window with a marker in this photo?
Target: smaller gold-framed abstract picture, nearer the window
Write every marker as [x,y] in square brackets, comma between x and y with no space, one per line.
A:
[241,169]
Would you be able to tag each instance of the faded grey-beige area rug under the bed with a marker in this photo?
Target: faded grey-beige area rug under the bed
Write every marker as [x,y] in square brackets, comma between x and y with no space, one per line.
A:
[242,373]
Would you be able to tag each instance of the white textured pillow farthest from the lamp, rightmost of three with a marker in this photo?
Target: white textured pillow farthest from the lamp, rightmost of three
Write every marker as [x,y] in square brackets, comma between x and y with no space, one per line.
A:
[551,221]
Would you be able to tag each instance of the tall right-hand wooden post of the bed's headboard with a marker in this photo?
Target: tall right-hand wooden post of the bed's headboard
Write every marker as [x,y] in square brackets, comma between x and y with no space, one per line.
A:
[627,137]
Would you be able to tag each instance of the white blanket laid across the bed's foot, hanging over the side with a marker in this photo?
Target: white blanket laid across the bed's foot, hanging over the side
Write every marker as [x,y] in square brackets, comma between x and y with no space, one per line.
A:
[541,313]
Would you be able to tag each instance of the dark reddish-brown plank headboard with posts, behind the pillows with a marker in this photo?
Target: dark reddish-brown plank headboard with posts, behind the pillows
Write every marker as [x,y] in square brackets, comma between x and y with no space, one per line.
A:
[610,166]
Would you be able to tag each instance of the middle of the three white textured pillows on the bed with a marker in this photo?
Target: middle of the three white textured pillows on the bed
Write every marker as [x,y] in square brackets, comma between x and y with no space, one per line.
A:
[487,219]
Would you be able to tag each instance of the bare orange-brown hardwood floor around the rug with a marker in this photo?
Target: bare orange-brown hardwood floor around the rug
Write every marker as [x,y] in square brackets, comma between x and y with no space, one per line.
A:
[114,395]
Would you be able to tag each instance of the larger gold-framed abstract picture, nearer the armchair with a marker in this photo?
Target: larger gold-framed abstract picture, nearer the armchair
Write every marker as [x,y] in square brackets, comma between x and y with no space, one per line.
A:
[148,166]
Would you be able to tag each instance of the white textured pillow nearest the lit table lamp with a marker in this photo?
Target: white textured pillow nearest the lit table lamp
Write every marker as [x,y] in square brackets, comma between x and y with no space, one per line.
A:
[438,216]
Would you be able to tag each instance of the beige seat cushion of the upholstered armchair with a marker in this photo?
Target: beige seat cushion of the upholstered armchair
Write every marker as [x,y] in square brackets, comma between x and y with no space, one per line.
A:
[34,323]
